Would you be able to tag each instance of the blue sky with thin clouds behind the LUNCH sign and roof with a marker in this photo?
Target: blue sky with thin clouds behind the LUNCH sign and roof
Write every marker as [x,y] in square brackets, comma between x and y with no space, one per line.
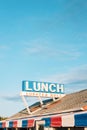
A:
[41,40]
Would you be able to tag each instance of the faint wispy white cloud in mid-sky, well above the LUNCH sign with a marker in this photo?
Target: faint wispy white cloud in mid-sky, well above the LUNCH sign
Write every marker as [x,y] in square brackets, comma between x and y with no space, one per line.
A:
[47,50]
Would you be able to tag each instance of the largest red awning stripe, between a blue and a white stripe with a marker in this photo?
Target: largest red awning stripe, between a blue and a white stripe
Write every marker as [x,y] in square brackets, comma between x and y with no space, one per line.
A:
[56,121]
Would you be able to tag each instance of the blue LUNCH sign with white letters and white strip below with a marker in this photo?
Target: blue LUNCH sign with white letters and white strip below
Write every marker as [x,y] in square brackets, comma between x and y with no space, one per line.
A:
[42,89]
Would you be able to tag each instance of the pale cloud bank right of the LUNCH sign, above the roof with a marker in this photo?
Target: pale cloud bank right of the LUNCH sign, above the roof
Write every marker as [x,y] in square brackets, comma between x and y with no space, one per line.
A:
[75,79]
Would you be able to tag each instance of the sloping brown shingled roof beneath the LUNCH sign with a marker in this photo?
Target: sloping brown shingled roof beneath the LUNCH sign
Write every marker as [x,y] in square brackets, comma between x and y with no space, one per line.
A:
[70,102]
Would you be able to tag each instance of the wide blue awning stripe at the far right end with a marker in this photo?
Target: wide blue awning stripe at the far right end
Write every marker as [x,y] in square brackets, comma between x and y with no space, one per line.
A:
[81,120]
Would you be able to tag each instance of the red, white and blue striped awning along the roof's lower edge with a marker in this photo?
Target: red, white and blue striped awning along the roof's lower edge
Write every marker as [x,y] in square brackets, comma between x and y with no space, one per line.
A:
[63,120]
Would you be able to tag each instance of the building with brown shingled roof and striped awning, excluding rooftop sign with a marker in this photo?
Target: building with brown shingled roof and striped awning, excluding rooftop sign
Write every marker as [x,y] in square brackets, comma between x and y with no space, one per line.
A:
[66,113]
